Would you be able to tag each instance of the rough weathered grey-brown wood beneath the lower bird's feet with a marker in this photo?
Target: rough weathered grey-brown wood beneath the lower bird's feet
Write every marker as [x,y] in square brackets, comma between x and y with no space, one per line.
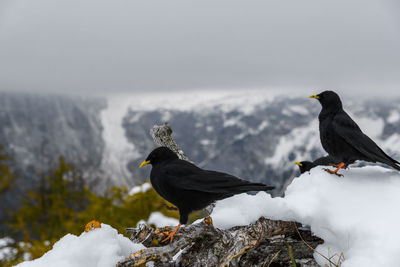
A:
[264,243]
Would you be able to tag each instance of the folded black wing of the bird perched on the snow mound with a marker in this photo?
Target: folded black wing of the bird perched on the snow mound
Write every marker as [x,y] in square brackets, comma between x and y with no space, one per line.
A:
[352,134]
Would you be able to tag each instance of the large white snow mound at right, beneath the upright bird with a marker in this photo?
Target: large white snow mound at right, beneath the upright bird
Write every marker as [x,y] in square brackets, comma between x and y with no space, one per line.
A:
[356,215]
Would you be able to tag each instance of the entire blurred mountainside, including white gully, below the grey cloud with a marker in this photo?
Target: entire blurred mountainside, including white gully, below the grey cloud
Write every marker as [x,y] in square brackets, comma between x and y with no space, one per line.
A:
[255,134]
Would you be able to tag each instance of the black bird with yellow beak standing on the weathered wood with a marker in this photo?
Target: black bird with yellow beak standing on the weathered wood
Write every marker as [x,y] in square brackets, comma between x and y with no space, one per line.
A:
[190,188]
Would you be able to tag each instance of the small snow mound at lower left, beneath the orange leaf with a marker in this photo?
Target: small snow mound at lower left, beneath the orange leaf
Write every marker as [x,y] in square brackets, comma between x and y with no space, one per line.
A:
[102,247]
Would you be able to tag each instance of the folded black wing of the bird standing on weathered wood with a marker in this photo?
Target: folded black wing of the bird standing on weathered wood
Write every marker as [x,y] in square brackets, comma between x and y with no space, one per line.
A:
[190,177]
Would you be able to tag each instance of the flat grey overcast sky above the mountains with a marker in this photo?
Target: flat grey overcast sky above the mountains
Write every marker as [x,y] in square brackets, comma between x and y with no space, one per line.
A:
[104,46]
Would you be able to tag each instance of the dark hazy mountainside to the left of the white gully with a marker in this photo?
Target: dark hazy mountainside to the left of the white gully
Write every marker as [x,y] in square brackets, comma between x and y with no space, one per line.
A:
[36,130]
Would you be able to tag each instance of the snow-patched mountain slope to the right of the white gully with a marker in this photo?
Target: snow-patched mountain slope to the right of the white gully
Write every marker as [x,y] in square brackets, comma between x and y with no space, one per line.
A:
[254,135]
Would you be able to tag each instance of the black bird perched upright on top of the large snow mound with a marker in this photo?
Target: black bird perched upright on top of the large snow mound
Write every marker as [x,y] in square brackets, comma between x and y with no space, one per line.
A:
[342,138]
